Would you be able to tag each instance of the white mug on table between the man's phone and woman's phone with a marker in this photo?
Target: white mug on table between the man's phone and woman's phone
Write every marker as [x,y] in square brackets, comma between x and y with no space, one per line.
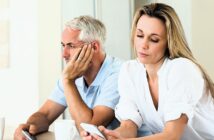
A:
[66,130]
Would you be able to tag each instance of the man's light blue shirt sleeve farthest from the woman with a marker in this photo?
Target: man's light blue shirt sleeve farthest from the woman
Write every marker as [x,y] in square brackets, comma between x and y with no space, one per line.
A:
[58,94]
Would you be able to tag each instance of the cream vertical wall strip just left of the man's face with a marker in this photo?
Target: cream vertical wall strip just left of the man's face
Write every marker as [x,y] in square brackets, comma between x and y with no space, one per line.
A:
[49,46]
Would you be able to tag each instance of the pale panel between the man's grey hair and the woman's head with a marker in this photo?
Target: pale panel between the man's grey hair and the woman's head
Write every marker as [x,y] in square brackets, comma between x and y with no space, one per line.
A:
[116,15]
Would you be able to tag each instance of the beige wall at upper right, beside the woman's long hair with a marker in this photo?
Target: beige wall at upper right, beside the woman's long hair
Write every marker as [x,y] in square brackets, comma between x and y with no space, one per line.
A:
[202,33]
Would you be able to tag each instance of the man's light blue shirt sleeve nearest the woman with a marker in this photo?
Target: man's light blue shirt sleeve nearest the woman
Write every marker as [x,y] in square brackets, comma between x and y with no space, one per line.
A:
[108,95]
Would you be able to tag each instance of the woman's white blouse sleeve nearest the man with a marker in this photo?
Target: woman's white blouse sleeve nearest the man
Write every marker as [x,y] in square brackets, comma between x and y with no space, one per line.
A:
[127,109]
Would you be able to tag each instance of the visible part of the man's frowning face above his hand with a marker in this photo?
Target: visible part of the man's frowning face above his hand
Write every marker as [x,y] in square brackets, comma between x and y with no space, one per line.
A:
[70,42]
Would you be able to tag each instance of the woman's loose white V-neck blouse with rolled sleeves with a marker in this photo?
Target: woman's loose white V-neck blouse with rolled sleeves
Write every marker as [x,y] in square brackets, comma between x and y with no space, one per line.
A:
[181,91]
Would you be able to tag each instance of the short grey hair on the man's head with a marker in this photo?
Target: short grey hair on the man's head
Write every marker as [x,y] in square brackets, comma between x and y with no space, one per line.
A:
[90,29]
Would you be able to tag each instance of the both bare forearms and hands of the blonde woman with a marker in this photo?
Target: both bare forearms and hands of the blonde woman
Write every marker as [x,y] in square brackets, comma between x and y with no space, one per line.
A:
[128,130]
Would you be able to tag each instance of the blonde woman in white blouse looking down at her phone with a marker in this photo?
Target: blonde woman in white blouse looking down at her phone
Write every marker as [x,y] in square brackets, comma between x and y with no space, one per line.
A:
[165,87]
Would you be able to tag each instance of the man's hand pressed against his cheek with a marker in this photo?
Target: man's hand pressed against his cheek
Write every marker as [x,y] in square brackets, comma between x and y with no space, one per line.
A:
[79,63]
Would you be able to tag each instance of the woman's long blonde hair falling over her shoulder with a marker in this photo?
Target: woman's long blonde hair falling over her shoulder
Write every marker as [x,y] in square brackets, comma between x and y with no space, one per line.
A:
[176,41]
